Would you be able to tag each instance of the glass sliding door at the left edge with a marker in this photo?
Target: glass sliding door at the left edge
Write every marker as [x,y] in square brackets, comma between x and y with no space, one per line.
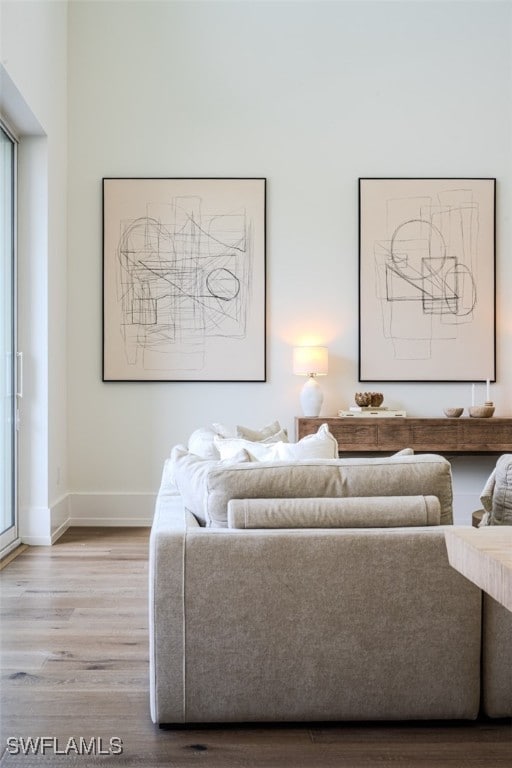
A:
[9,360]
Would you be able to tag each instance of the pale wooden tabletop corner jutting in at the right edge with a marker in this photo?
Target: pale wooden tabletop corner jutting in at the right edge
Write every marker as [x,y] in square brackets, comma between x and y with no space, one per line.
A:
[484,556]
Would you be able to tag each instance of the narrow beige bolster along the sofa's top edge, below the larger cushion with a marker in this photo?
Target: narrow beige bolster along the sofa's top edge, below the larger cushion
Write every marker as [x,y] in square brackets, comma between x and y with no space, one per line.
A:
[359,512]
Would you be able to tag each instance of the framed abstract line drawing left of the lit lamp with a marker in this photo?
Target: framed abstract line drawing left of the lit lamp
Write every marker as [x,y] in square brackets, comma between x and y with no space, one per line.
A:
[184,279]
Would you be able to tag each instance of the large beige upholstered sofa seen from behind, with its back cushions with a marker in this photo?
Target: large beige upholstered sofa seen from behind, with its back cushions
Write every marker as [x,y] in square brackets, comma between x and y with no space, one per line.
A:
[272,601]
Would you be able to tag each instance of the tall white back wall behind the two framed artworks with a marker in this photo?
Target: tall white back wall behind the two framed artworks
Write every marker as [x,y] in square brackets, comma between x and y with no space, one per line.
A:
[311,95]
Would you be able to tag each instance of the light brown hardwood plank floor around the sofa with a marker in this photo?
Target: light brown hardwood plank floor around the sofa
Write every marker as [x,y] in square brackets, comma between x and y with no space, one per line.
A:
[74,665]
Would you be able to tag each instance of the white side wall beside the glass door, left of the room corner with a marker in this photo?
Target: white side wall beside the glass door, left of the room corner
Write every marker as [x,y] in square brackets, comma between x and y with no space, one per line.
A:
[33,69]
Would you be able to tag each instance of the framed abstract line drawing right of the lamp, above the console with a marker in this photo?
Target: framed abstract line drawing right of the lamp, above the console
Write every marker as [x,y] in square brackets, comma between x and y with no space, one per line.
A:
[427,279]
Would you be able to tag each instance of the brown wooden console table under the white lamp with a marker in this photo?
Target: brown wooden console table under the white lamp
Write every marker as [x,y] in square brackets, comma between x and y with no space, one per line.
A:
[373,434]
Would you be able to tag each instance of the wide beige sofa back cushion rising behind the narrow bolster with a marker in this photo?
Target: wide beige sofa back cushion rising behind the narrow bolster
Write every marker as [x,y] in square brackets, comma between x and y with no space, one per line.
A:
[425,474]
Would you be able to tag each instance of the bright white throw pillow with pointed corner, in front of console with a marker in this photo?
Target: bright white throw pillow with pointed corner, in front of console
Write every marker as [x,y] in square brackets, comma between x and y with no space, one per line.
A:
[321,445]
